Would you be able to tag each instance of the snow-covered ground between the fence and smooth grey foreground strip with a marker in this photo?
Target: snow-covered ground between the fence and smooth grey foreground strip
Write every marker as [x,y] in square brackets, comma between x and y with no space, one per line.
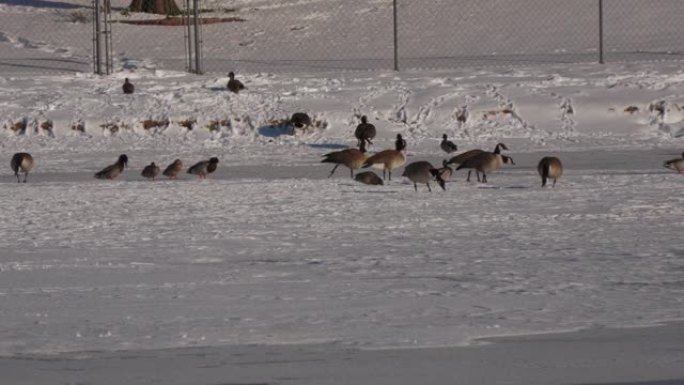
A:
[270,251]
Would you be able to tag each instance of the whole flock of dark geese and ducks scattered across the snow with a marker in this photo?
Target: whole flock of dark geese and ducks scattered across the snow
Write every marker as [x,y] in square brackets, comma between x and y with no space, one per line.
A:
[419,172]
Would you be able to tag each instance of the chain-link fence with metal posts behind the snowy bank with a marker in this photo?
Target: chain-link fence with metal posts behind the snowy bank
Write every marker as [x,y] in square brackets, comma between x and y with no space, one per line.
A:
[46,36]
